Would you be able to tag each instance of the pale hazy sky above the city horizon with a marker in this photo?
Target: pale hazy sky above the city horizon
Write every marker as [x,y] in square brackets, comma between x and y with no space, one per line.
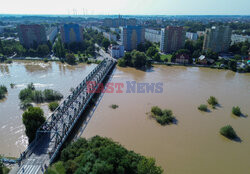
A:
[127,7]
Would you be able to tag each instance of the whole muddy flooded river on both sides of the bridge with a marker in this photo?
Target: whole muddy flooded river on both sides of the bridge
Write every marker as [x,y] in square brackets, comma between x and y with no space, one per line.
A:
[192,146]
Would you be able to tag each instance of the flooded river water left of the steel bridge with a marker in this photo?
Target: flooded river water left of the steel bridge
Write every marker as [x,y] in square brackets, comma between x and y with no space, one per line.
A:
[53,75]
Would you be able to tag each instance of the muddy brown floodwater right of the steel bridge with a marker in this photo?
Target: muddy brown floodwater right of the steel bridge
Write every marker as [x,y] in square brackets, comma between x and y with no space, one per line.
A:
[193,145]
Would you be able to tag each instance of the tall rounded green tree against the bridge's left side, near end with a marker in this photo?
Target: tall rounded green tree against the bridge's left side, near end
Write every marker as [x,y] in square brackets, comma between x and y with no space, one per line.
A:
[33,118]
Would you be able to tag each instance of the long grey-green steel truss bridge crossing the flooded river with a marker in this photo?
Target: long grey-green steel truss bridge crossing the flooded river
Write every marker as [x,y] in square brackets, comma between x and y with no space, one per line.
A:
[53,133]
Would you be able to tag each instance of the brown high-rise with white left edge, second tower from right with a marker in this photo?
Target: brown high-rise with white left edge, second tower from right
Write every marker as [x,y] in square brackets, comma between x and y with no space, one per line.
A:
[172,39]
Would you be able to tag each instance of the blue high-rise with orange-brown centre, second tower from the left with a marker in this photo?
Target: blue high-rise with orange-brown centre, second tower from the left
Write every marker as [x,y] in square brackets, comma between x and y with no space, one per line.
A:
[71,33]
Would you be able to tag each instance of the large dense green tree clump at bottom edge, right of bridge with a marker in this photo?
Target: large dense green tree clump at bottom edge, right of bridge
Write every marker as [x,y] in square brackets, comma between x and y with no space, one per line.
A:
[103,156]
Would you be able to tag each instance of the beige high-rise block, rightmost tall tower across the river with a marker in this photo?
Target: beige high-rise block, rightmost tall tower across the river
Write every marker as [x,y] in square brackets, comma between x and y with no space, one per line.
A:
[217,39]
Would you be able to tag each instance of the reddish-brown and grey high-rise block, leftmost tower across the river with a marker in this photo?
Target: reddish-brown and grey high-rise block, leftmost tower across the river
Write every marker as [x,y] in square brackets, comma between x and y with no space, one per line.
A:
[32,35]
